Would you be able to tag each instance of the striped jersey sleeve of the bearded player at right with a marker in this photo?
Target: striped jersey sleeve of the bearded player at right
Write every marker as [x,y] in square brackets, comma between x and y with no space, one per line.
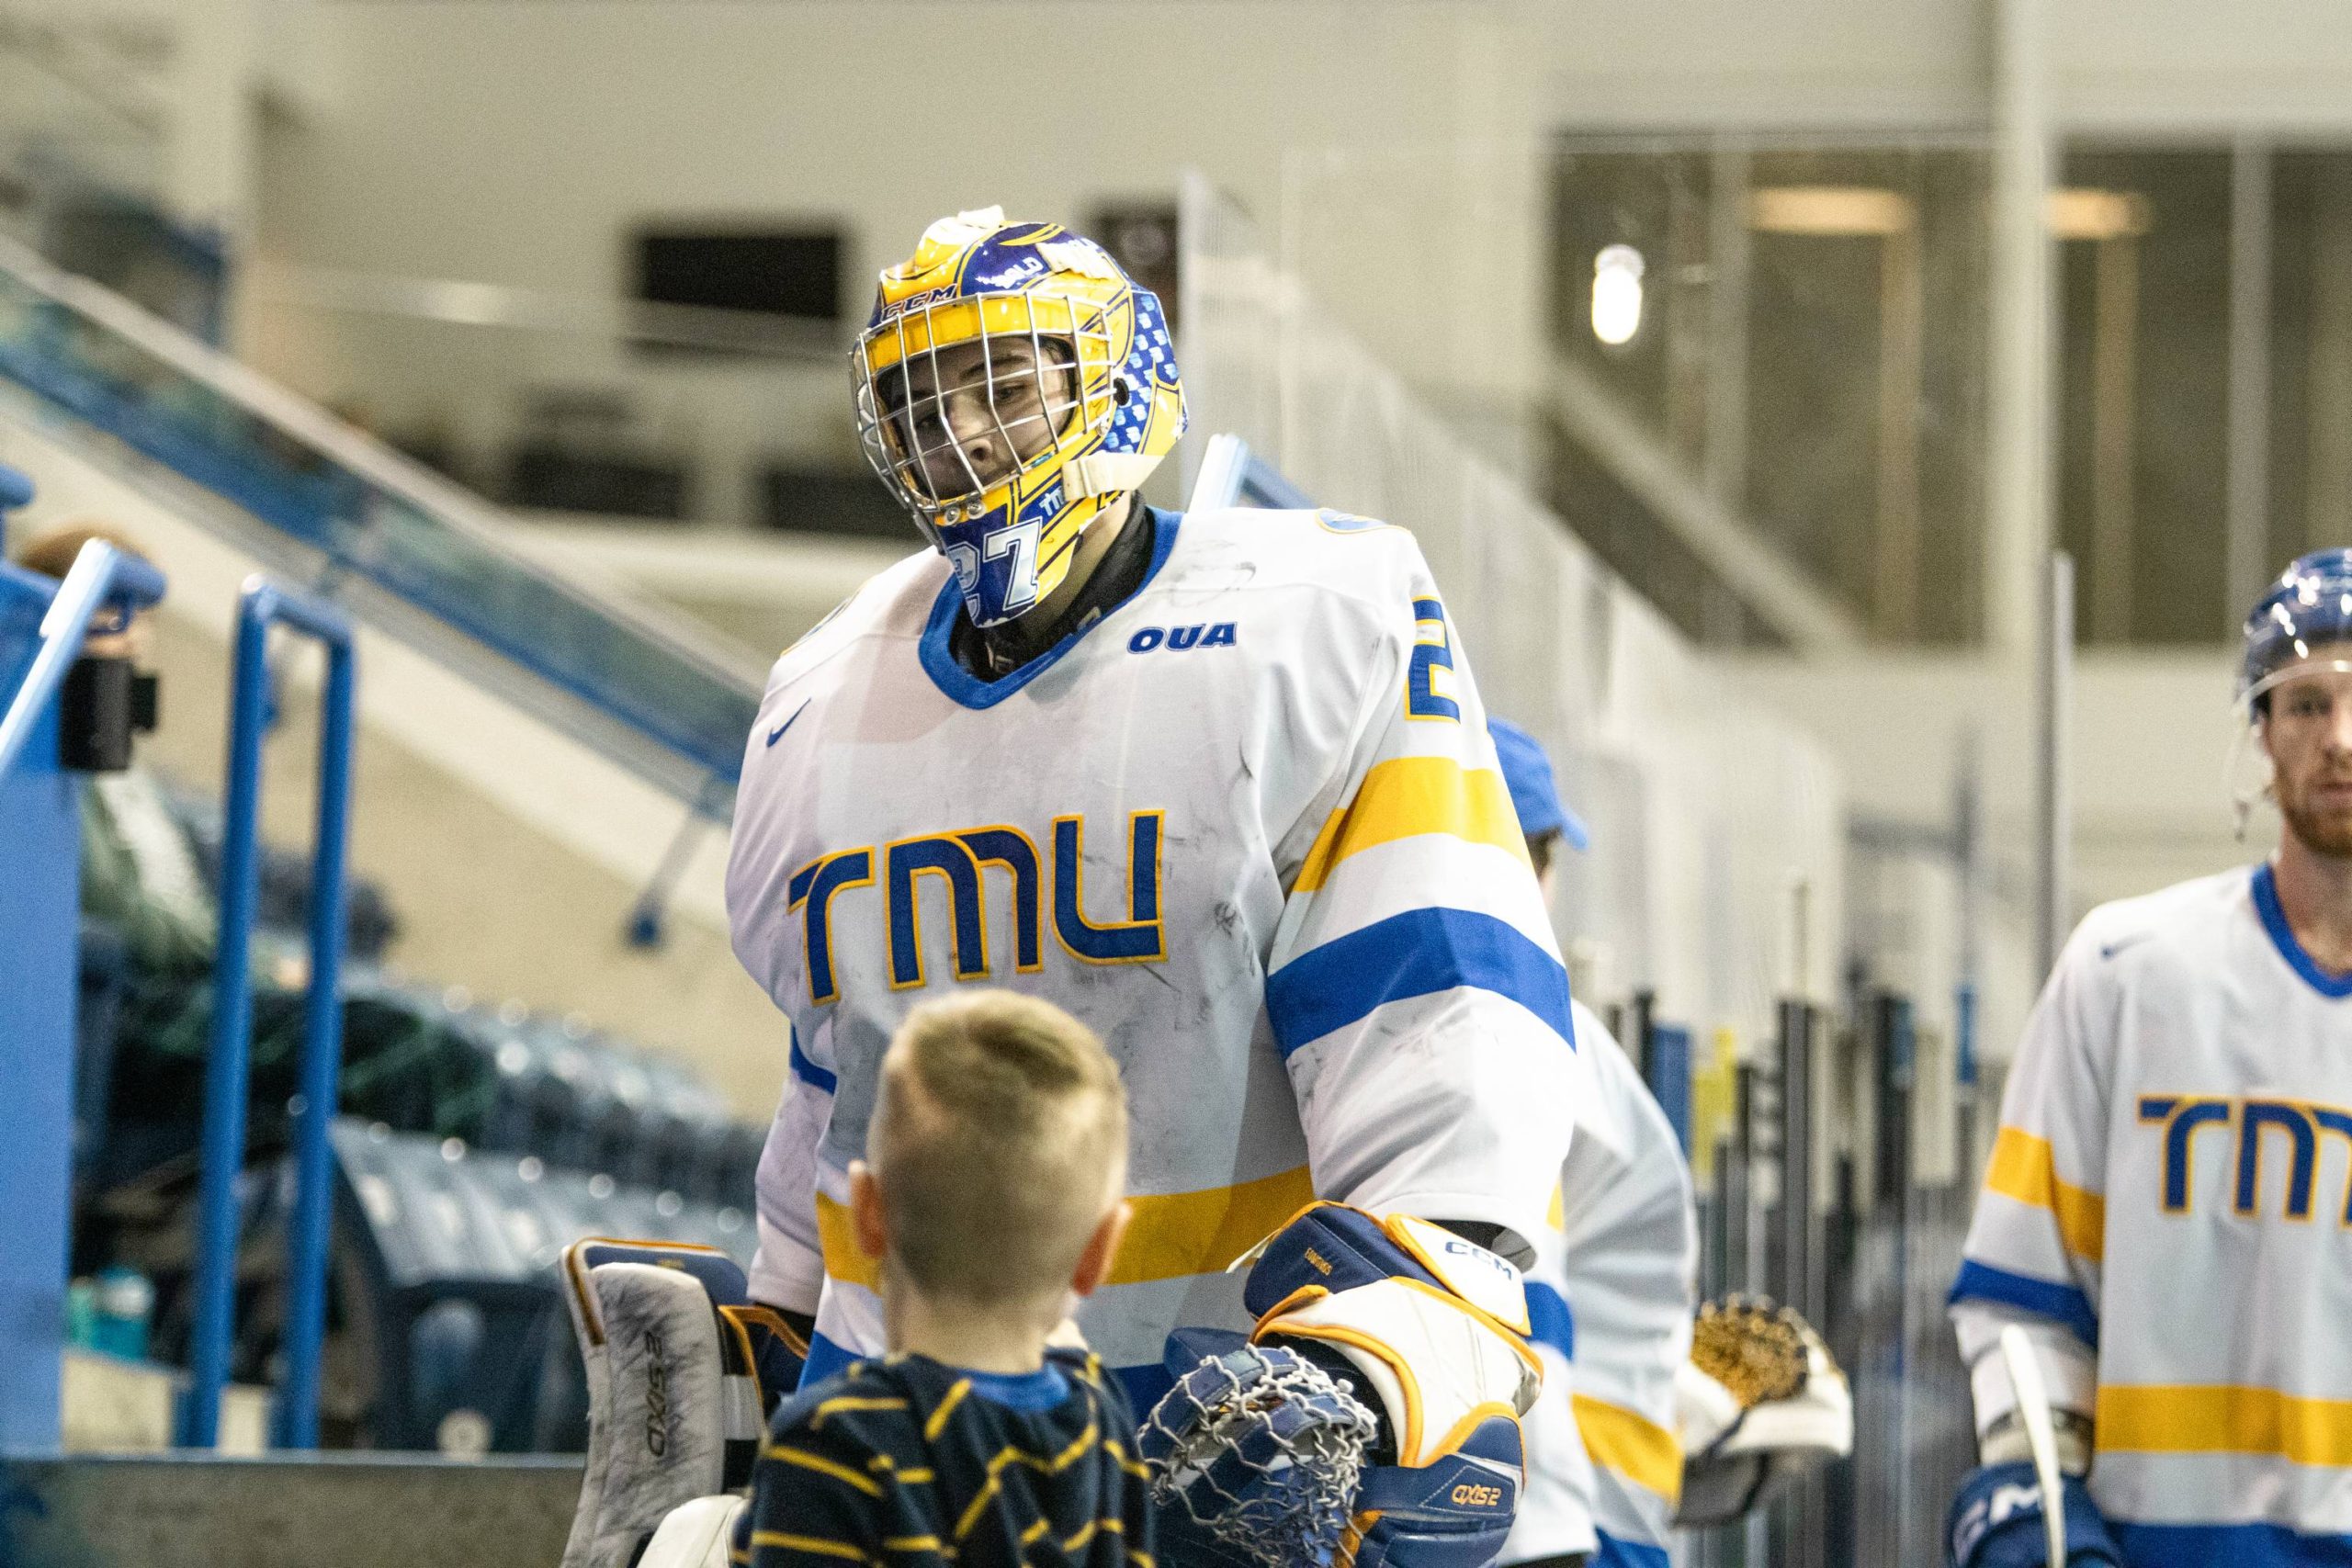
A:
[2036,1242]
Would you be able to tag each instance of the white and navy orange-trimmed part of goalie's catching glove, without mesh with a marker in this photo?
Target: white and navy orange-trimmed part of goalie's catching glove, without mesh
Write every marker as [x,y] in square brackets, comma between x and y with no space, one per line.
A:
[1431,1329]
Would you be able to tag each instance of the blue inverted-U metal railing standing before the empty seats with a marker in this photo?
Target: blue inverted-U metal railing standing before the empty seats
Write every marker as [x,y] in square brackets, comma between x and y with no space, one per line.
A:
[227,1071]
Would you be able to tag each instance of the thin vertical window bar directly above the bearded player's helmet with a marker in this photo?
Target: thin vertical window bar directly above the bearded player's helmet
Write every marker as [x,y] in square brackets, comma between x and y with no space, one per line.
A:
[2250,373]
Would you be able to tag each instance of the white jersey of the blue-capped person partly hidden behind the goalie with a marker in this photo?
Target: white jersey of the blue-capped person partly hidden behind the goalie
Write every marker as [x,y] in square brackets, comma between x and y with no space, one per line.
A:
[1612,1299]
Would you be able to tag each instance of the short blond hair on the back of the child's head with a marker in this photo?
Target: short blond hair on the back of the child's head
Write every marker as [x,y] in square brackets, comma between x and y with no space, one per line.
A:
[1001,1144]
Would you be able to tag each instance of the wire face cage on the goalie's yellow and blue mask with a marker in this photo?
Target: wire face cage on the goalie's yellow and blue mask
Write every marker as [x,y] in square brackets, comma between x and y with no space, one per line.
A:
[909,420]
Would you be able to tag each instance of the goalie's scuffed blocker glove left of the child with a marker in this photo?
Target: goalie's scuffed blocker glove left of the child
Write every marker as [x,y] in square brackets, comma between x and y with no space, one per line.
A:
[681,1374]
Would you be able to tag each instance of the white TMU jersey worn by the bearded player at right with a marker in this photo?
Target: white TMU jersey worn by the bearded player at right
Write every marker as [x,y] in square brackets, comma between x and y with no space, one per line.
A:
[2170,1207]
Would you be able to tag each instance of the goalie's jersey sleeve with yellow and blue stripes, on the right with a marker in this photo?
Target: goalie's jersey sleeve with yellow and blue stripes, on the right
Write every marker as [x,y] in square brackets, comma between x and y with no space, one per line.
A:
[1415,986]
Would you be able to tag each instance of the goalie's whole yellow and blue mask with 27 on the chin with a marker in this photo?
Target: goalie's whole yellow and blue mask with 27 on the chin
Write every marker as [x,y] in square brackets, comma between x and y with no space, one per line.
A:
[1013,384]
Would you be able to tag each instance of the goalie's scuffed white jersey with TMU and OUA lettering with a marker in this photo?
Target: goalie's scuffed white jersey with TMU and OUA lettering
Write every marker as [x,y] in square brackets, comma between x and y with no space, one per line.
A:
[1248,826]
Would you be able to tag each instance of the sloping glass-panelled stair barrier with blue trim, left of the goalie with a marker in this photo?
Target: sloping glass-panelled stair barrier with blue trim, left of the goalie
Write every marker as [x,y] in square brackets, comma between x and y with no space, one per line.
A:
[403,549]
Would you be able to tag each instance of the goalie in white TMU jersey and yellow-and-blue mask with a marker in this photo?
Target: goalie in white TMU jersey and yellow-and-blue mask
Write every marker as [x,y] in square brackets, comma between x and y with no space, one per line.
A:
[1222,789]
